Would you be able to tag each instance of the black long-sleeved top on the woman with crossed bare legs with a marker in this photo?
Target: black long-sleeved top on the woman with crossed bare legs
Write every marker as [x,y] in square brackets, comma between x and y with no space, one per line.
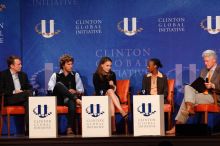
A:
[103,84]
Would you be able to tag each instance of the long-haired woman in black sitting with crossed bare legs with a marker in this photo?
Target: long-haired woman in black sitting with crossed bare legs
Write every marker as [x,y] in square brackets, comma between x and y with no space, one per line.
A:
[104,81]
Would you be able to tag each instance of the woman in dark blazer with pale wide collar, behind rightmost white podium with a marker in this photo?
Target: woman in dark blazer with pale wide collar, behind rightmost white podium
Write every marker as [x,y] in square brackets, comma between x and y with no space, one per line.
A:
[155,83]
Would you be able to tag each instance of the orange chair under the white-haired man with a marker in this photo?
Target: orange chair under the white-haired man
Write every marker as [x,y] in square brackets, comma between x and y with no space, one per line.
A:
[208,108]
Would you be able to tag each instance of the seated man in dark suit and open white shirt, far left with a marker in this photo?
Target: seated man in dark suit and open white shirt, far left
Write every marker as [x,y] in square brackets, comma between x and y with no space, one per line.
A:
[15,86]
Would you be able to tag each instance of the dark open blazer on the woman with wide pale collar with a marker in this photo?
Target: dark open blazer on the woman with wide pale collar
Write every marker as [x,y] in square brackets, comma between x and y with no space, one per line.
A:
[161,86]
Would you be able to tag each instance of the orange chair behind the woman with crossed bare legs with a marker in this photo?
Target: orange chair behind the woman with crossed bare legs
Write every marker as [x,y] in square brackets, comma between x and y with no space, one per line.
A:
[124,94]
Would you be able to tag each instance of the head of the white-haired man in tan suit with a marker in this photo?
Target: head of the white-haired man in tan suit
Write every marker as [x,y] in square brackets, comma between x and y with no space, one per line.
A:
[210,58]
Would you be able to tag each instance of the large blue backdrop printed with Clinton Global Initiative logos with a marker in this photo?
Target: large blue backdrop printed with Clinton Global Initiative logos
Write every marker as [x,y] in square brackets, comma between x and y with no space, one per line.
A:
[172,30]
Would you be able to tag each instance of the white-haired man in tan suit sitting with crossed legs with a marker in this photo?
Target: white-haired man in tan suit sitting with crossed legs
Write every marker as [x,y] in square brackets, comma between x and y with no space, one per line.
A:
[211,73]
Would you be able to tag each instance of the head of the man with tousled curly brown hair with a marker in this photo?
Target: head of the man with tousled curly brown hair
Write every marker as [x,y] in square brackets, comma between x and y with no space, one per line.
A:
[66,62]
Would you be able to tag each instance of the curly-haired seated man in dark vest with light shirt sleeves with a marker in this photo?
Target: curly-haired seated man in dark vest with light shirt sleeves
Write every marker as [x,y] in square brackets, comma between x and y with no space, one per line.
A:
[67,86]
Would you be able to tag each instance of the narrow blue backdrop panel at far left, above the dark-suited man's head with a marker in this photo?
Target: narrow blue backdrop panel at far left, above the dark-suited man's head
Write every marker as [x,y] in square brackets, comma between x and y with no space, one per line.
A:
[10,32]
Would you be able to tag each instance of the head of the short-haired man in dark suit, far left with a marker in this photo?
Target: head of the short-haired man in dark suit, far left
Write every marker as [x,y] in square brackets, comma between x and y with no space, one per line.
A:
[14,63]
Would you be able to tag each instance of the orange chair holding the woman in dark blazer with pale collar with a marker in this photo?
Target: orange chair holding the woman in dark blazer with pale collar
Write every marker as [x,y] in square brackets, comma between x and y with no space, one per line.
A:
[169,107]
